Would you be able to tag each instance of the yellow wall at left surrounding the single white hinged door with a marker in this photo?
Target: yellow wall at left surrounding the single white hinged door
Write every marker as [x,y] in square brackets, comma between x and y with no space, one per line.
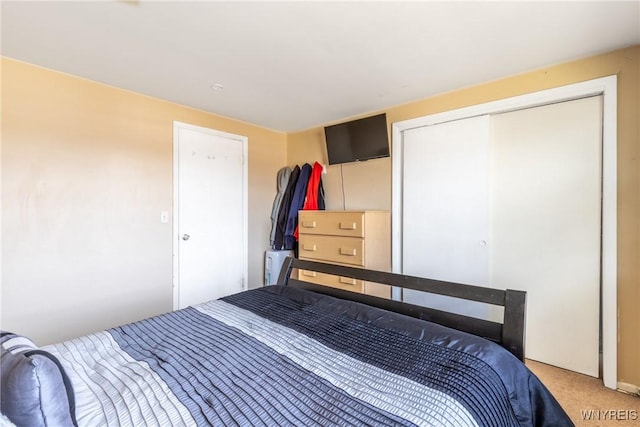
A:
[86,171]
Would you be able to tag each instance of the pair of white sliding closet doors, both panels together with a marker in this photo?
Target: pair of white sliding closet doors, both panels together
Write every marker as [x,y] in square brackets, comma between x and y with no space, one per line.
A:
[513,201]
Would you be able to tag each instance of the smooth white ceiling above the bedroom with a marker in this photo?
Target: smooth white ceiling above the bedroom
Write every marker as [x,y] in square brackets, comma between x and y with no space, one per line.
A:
[290,66]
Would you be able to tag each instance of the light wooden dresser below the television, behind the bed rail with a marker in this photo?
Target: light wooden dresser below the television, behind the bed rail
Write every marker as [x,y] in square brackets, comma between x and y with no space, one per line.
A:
[350,238]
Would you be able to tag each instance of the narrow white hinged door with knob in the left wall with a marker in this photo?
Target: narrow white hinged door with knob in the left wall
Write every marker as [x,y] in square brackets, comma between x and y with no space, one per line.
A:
[210,214]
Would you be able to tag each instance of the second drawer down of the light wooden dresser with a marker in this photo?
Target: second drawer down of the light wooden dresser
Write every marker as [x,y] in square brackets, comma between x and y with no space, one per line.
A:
[343,250]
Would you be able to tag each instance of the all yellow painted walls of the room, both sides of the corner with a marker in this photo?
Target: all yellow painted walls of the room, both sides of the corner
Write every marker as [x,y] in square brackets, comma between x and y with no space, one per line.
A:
[86,170]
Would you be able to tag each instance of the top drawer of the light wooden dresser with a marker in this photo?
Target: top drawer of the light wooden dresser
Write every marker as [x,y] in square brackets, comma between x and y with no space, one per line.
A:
[341,223]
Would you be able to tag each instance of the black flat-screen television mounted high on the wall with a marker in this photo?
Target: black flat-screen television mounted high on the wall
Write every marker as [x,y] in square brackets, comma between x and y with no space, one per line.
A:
[357,140]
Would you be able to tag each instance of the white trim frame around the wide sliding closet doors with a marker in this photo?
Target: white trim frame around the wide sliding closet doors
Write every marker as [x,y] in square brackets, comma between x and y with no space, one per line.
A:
[605,86]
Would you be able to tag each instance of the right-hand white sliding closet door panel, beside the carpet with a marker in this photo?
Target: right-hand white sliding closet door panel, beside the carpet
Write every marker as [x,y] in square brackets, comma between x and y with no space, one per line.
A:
[546,225]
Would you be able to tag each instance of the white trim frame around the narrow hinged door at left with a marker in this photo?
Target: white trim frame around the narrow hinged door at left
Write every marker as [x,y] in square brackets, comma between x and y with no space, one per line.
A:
[177,126]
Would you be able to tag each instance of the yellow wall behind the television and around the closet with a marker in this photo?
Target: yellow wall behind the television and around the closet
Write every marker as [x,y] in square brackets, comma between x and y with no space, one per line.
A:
[368,185]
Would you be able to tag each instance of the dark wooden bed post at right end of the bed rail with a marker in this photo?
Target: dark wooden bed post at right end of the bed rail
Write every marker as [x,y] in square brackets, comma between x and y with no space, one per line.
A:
[513,332]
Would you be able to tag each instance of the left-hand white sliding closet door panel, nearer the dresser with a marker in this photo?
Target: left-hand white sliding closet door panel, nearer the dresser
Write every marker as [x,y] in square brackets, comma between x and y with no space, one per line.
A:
[445,208]
